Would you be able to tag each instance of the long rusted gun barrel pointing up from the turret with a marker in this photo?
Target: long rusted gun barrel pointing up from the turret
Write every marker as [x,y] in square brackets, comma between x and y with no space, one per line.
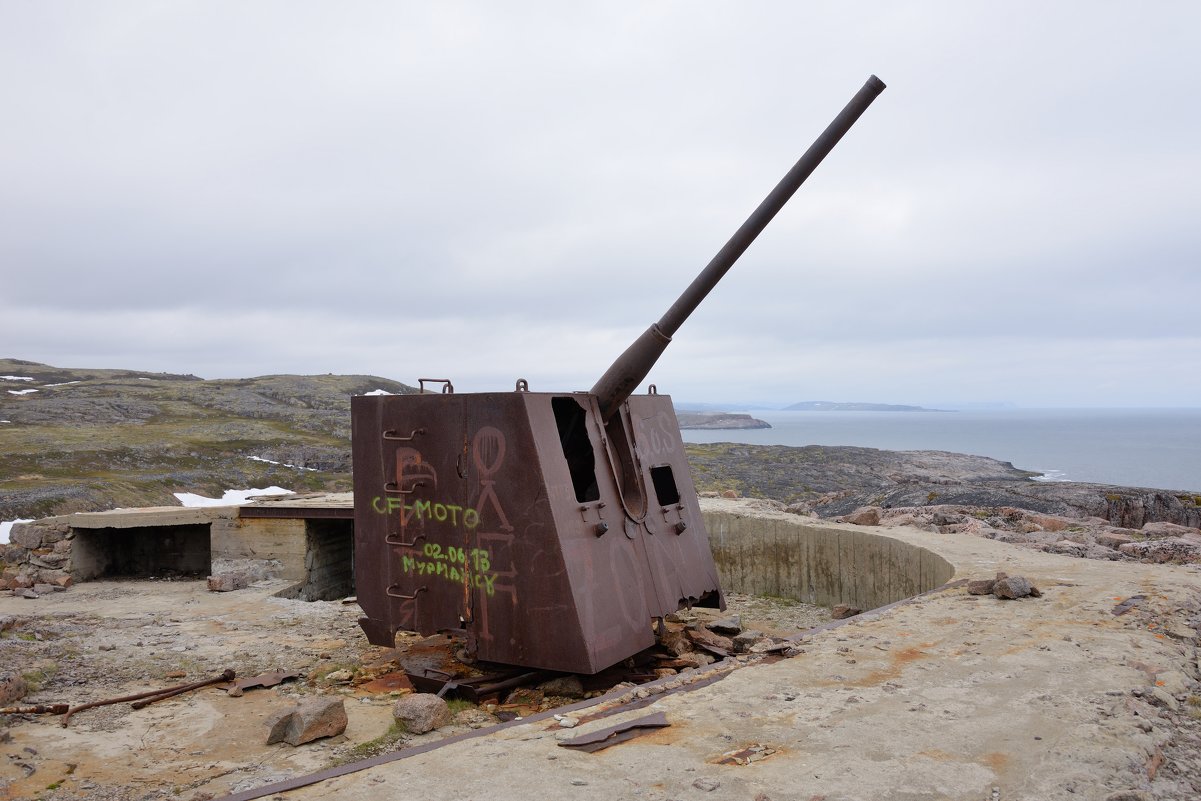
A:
[624,376]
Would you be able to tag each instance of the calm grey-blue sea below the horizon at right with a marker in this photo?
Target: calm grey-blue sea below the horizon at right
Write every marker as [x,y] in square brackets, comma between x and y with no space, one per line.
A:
[1156,449]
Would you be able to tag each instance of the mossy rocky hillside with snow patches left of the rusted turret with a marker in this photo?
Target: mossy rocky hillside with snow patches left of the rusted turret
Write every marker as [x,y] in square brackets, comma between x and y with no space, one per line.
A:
[80,440]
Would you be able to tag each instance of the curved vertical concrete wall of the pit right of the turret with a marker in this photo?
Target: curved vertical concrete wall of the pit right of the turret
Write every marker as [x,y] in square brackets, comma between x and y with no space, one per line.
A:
[820,565]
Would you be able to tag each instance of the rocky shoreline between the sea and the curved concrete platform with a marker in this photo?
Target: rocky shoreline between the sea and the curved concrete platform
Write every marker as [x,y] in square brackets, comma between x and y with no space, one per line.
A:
[951,493]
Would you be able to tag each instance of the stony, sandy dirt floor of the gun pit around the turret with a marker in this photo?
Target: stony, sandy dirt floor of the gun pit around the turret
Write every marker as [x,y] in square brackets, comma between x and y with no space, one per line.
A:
[109,639]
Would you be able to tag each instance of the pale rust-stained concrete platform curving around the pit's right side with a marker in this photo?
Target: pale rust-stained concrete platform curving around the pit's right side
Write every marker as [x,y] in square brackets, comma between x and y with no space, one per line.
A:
[947,697]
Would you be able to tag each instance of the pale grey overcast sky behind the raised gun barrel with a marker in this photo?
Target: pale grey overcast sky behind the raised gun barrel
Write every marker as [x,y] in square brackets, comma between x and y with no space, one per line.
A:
[487,192]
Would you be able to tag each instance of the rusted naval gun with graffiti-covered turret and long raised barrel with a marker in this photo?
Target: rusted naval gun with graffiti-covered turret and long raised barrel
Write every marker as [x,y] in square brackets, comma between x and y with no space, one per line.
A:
[548,529]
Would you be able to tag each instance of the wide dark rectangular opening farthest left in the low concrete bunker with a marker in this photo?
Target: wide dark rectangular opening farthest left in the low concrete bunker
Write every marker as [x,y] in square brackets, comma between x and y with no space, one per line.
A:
[151,552]
